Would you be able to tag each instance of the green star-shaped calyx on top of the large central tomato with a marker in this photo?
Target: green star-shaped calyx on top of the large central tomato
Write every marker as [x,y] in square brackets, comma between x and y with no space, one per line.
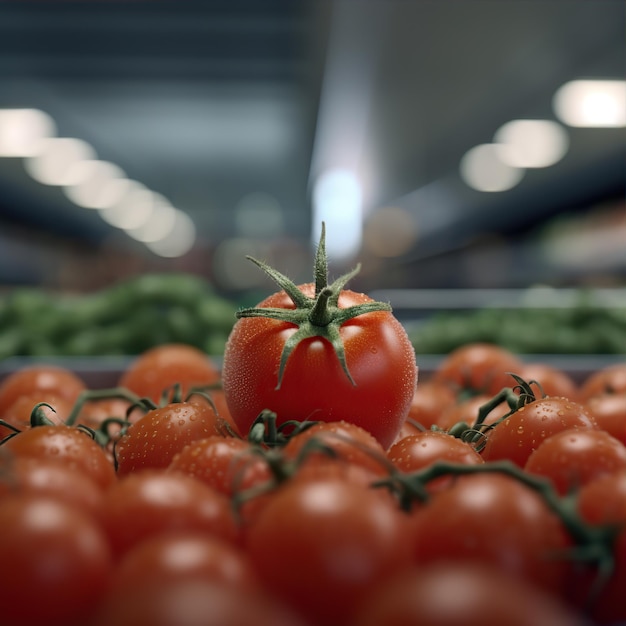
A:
[319,316]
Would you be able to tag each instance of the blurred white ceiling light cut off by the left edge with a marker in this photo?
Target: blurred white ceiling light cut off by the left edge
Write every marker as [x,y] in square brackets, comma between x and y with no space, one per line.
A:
[22,130]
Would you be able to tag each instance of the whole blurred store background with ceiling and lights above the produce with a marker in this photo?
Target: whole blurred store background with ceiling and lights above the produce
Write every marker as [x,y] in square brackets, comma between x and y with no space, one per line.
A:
[467,153]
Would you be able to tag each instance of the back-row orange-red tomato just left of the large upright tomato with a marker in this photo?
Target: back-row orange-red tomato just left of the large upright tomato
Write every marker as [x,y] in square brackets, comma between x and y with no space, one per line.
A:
[157,369]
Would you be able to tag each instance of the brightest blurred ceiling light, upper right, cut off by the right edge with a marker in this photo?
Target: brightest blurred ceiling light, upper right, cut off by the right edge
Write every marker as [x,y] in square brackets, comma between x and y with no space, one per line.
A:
[592,103]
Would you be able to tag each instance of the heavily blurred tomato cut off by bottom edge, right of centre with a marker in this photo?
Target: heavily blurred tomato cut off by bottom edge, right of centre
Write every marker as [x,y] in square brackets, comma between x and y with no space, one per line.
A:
[451,594]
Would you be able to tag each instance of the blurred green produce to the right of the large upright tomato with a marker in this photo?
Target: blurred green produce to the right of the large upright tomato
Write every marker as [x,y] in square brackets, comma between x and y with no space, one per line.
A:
[581,329]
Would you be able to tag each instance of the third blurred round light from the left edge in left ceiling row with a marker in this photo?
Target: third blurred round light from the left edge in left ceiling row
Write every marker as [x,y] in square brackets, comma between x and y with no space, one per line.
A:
[96,184]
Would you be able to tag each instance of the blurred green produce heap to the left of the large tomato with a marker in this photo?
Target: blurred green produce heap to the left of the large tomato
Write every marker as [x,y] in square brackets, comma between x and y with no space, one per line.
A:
[123,319]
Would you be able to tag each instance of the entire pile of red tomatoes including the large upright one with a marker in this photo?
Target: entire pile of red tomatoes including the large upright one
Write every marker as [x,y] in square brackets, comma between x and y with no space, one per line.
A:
[311,480]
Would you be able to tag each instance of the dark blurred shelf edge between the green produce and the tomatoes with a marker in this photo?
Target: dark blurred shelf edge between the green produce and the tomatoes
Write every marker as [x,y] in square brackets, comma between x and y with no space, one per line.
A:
[104,371]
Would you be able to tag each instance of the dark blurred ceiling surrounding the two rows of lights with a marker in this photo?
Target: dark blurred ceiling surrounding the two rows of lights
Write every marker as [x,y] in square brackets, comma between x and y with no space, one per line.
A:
[206,102]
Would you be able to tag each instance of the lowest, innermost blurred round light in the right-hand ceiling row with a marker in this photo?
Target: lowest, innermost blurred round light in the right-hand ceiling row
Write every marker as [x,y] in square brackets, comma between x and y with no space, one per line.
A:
[484,169]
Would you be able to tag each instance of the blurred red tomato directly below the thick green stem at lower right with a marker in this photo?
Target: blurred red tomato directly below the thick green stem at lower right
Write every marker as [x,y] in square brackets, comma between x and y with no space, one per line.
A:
[496,520]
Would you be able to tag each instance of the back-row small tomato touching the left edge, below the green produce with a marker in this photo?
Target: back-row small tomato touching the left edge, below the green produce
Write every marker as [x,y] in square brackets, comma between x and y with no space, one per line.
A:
[44,380]
